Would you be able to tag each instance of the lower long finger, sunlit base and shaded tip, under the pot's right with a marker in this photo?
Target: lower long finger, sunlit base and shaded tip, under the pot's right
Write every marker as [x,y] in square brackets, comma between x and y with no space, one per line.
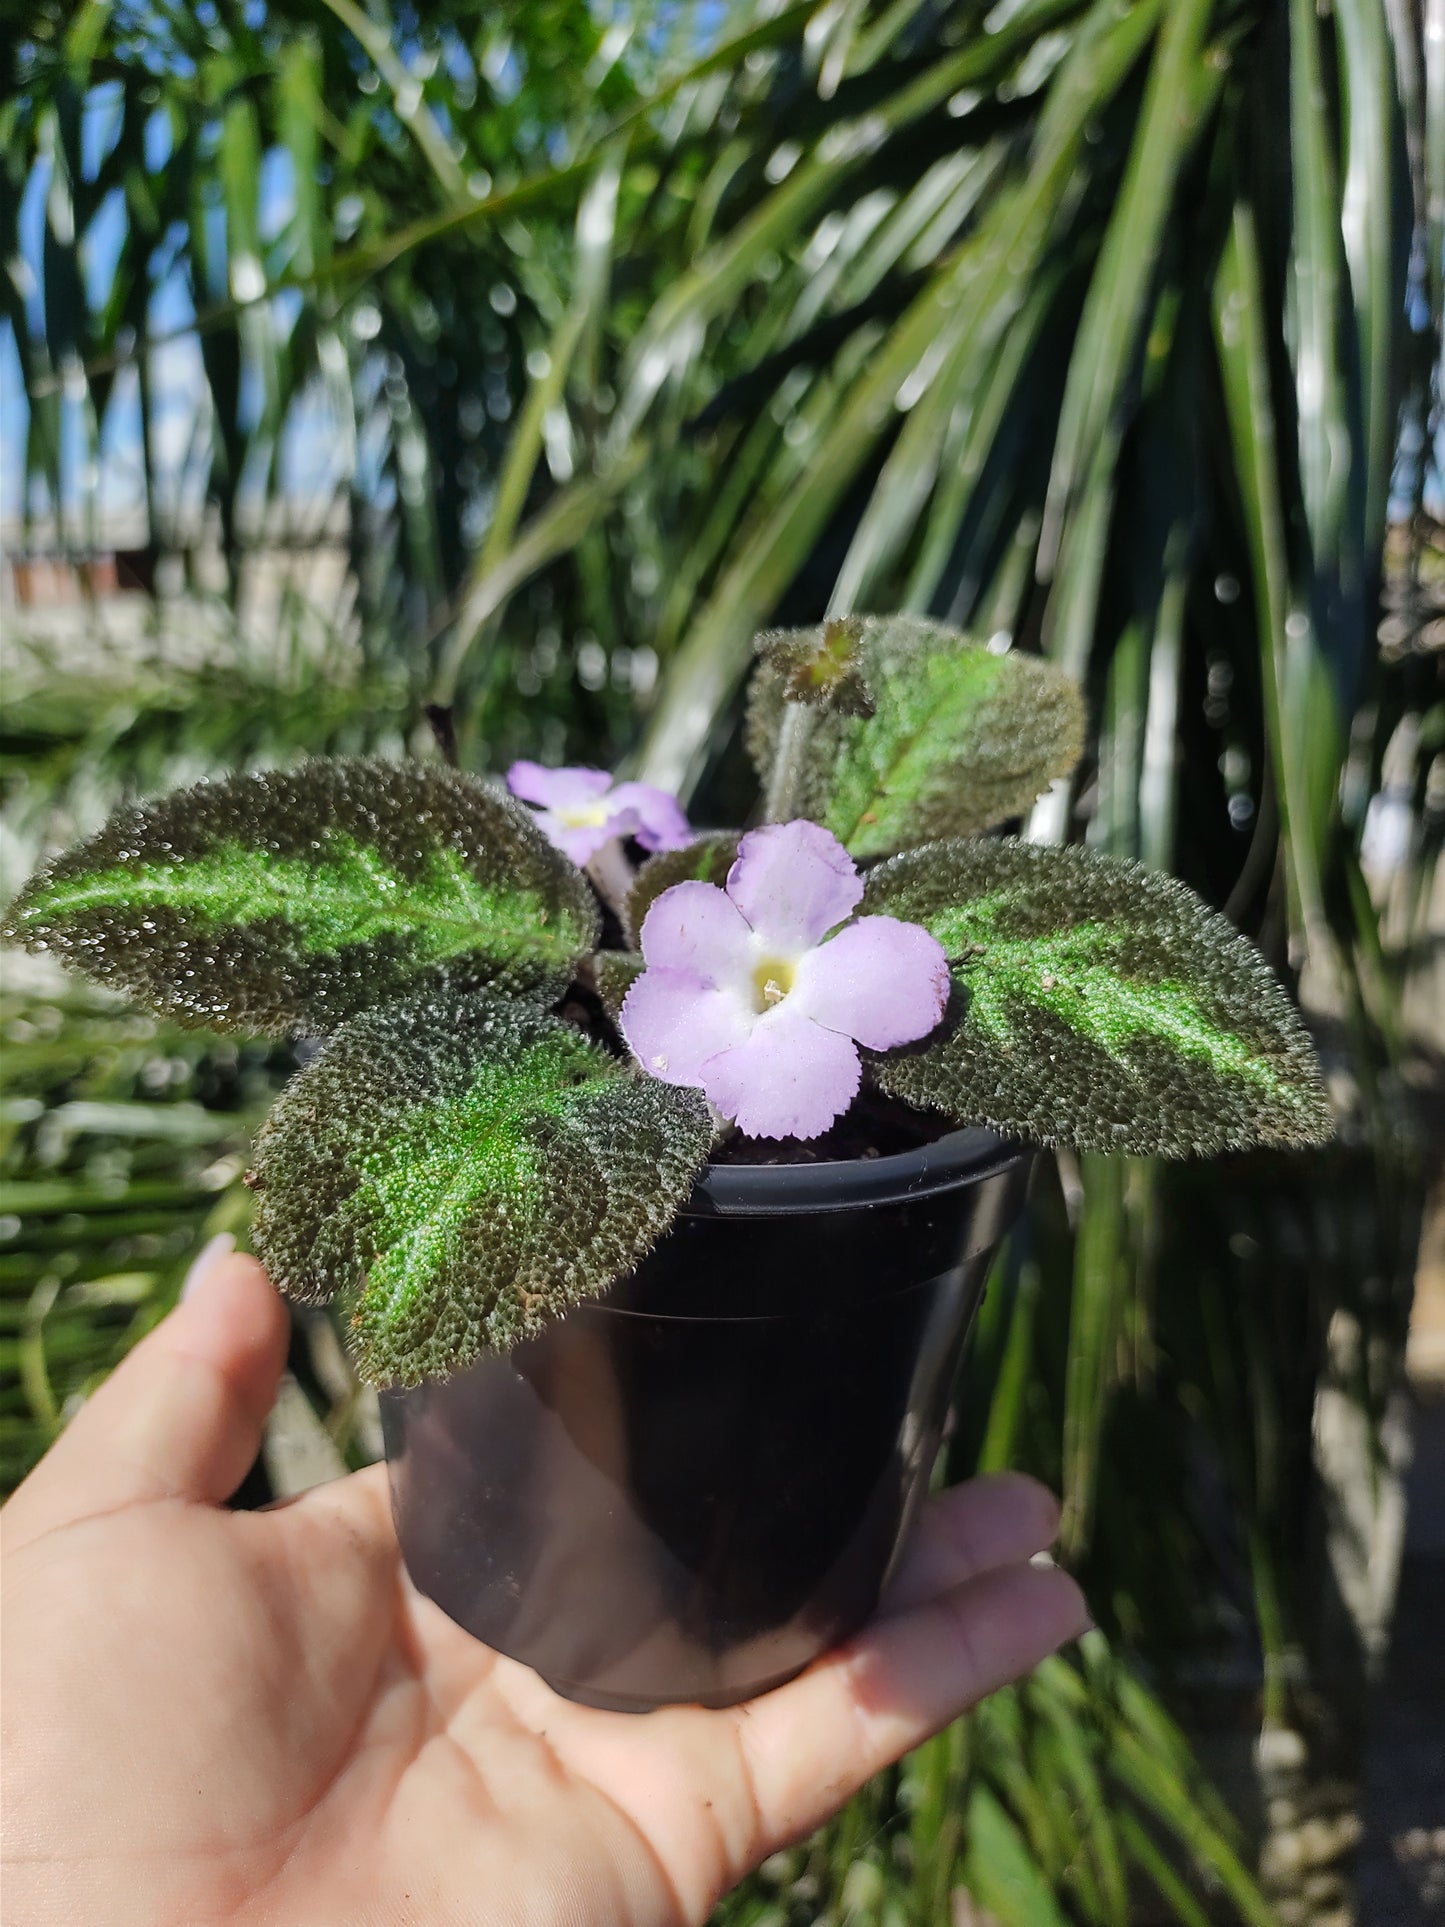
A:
[812,1745]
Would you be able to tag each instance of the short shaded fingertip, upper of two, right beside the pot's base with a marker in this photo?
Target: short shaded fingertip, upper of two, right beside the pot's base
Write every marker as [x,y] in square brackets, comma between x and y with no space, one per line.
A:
[972,1529]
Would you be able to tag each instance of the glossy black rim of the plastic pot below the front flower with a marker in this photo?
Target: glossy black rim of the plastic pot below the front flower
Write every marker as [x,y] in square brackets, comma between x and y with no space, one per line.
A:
[847,1184]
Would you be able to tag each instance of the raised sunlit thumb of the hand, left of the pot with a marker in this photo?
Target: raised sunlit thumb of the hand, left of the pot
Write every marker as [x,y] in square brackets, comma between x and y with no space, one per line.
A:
[182,1415]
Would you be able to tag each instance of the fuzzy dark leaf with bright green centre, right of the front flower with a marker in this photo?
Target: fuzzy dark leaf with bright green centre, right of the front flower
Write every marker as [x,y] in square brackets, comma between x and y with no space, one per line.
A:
[1099,1005]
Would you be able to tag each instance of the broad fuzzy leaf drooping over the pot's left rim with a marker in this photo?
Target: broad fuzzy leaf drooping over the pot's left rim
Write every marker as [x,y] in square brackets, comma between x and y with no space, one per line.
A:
[465,1171]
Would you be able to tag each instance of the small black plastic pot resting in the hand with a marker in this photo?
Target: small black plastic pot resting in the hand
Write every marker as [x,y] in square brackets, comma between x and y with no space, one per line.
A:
[700,1483]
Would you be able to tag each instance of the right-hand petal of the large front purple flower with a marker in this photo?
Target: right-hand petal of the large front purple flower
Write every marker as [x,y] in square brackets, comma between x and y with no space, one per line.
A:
[881,982]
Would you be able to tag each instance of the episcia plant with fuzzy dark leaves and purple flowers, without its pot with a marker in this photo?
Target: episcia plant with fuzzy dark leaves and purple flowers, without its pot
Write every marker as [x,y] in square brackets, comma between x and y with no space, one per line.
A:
[546,1005]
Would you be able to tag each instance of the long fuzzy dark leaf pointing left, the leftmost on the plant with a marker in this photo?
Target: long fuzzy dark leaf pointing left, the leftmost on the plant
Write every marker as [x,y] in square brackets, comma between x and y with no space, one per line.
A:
[290,901]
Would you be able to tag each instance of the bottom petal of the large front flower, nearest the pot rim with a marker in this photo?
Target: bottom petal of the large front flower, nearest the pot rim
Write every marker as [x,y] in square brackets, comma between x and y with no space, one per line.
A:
[789,1080]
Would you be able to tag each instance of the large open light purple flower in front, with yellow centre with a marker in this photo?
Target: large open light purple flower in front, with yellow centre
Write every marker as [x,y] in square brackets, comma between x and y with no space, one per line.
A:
[749,997]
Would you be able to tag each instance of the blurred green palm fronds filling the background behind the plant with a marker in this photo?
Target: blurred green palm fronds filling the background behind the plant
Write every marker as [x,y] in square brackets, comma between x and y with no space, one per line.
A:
[527,361]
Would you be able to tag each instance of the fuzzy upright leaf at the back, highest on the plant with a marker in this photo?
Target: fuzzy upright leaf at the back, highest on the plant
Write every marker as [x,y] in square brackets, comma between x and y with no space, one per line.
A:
[959,743]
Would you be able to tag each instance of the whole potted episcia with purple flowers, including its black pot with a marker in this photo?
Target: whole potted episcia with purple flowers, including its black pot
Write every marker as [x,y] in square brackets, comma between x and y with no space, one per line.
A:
[660,1173]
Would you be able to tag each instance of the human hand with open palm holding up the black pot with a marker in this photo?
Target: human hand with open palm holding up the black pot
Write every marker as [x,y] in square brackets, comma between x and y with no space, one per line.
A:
[253,1718]
